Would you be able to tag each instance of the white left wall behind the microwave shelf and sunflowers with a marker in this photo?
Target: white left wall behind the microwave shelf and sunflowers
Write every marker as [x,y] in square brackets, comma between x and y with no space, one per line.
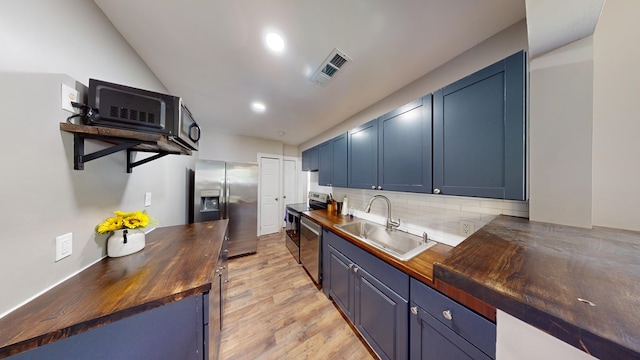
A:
[41,43]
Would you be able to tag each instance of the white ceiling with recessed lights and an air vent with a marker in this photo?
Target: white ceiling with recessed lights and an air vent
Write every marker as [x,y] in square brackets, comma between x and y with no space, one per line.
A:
[212,54]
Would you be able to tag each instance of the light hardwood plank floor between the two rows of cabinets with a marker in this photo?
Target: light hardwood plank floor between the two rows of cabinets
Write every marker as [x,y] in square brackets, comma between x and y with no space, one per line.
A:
[274,311]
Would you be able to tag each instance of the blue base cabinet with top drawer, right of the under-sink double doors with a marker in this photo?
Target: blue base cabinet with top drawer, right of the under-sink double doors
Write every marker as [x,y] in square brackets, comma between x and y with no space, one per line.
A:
[442,329]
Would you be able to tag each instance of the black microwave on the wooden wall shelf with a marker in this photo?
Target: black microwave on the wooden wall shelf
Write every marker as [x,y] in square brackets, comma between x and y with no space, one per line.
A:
[125,107]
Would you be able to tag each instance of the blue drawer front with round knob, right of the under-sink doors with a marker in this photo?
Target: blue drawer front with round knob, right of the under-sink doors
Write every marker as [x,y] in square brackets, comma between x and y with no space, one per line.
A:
[472,327]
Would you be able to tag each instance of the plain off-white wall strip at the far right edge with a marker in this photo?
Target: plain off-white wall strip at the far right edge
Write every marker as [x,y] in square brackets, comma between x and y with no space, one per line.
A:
[616,121]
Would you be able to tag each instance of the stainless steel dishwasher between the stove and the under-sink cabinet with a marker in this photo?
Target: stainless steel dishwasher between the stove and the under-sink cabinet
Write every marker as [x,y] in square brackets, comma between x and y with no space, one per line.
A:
[311,249]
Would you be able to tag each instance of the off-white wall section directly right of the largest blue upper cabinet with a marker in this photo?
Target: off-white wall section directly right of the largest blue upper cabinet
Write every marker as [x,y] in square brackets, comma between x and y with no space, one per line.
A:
[560,124]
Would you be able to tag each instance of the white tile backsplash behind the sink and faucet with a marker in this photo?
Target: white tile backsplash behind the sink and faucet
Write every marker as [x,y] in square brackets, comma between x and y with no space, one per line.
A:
[438,215]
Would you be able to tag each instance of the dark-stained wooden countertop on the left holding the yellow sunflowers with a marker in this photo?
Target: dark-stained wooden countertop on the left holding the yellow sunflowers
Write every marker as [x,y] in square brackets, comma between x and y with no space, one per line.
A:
[177,262]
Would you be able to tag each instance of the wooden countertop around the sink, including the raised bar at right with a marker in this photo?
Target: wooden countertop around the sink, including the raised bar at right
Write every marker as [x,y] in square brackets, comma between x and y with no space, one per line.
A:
[579,285]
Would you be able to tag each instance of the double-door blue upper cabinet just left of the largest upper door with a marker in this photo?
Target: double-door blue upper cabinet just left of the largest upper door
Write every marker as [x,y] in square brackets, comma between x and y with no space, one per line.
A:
[393,152]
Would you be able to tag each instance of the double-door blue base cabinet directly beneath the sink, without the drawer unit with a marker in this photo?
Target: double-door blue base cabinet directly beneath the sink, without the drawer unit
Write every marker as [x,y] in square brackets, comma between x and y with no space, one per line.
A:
[371,293]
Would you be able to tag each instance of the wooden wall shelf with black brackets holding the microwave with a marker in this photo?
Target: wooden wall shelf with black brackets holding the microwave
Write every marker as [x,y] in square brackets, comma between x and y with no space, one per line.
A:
[121,139]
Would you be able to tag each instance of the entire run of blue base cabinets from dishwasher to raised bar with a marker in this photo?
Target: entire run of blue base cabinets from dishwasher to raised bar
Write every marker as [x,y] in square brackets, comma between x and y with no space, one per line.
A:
[399,316]
